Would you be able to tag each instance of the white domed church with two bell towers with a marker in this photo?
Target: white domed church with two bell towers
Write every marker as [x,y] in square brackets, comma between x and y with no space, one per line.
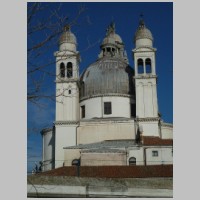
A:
[108,115]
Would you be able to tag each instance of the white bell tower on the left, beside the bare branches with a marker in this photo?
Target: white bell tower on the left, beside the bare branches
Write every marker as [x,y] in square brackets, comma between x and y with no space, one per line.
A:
[67,94]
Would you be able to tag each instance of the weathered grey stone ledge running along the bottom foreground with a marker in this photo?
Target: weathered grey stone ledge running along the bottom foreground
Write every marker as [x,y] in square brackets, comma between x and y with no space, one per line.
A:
[93,187]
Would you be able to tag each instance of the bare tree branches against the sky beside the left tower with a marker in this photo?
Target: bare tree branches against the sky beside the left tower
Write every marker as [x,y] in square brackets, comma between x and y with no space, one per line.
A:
[44,25]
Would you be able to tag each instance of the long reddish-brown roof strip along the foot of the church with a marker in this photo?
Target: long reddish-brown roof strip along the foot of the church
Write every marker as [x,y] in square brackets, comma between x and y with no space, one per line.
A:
[114,171]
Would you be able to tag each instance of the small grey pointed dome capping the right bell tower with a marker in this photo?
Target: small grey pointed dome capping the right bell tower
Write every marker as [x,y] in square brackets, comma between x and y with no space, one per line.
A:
[143,32]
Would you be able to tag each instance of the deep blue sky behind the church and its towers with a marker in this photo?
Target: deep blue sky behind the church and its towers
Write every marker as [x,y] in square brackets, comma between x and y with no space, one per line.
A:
[91,28]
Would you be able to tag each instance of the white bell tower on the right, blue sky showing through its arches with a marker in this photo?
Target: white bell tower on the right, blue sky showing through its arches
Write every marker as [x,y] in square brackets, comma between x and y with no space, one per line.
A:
[145,79]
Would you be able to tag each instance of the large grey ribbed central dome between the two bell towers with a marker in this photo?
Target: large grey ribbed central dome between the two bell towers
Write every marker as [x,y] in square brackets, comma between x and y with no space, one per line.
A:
[107,76]
